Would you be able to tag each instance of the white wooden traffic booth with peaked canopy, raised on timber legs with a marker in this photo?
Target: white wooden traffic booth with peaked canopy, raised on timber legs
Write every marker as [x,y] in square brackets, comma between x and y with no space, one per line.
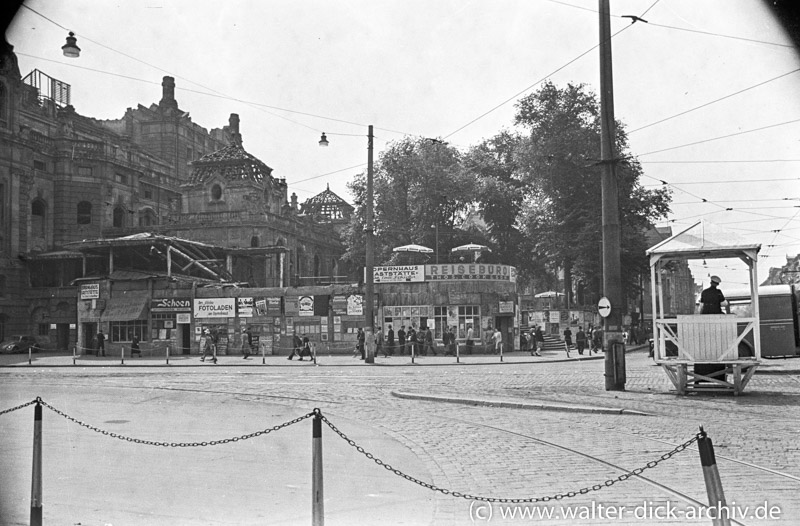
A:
[705,352]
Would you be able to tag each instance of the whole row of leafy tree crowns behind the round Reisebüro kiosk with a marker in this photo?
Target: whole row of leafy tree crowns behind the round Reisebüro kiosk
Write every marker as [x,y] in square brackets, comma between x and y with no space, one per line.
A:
[532,195]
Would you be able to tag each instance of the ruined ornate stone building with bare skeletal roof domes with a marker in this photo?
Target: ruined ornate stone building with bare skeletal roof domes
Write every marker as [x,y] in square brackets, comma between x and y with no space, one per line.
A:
[188,207]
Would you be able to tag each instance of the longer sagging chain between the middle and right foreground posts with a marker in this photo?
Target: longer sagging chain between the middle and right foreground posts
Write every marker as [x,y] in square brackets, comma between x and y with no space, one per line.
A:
[557,496]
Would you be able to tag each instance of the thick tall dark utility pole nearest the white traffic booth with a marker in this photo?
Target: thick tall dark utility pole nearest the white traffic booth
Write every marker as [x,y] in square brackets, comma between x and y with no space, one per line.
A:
[612,272]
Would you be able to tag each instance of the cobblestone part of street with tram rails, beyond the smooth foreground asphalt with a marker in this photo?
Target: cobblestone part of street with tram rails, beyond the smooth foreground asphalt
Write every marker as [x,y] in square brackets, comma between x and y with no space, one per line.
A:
[513,453]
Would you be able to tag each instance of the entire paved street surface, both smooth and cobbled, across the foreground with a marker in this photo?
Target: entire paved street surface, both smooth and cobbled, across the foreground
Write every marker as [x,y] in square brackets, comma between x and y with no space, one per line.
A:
[477,449]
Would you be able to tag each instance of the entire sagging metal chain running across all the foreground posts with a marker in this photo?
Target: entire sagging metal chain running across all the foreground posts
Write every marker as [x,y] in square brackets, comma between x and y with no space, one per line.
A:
[317,412]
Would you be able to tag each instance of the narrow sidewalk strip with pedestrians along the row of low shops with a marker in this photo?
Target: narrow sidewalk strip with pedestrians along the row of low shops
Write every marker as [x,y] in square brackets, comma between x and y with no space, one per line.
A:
[50,359]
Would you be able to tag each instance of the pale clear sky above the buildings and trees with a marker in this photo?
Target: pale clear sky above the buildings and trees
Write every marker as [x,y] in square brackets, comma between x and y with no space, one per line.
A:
[709,92]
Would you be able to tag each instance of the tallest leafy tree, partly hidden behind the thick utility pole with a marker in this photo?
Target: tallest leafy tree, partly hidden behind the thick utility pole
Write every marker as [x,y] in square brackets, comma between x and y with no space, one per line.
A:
[562,217]
